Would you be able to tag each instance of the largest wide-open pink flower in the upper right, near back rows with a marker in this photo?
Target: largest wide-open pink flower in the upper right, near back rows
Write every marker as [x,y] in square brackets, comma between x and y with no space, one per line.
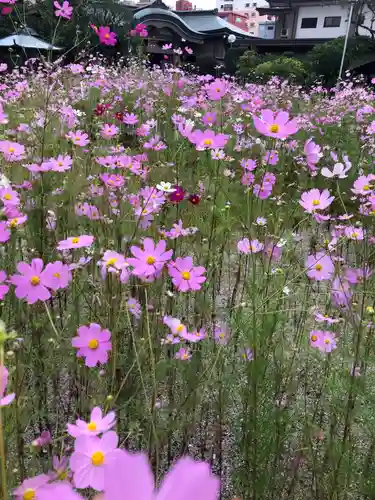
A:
[275,125]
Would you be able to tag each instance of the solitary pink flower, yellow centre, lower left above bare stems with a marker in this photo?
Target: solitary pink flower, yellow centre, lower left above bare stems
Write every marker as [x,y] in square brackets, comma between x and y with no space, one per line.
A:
[93,343]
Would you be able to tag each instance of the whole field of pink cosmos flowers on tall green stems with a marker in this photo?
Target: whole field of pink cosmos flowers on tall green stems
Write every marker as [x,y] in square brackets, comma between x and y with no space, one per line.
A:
[186,271]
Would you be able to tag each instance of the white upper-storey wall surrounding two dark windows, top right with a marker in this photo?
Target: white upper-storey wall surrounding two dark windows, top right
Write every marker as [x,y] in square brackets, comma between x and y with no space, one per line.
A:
[322,11]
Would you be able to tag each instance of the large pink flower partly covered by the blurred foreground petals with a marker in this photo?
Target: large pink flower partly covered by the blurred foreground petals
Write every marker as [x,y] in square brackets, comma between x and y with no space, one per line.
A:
[91,456]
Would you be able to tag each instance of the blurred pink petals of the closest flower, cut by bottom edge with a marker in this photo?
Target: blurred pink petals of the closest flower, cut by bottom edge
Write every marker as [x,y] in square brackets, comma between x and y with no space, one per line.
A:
[129,477]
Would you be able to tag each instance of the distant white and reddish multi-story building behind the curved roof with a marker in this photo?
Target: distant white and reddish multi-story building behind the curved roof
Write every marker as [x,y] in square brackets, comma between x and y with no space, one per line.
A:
[244,8]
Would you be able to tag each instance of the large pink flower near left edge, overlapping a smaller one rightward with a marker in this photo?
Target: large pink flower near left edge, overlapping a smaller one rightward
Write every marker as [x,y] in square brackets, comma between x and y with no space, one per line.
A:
[32,281]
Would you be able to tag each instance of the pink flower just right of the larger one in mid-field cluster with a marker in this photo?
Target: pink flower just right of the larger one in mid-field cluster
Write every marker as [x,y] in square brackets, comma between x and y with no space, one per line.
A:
[185,276]
